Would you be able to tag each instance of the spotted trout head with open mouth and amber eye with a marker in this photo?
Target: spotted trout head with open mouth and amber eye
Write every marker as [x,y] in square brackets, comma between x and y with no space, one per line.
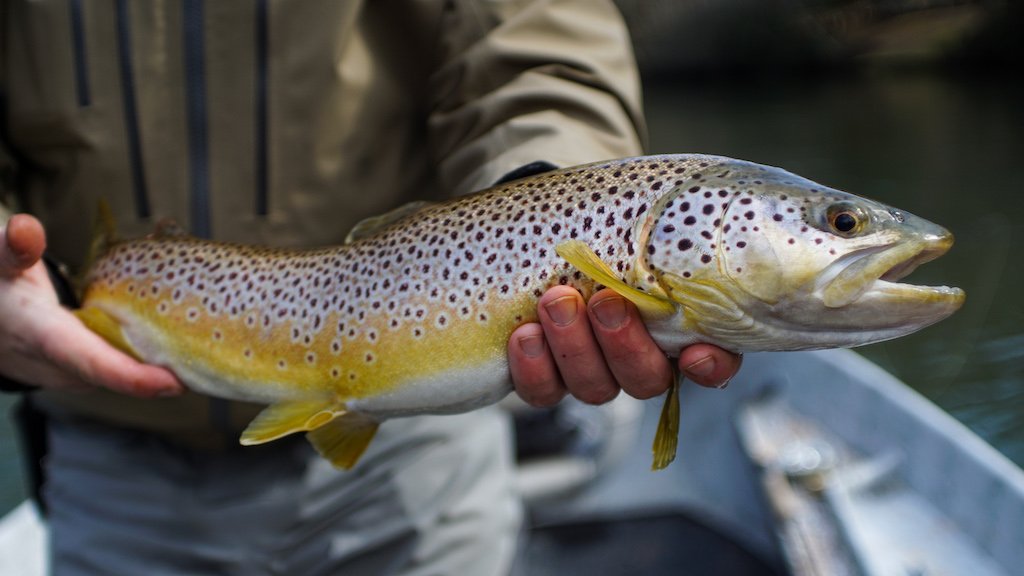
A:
[760,259]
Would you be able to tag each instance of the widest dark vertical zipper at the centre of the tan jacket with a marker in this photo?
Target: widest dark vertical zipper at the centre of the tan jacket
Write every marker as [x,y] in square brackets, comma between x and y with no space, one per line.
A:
[197,117]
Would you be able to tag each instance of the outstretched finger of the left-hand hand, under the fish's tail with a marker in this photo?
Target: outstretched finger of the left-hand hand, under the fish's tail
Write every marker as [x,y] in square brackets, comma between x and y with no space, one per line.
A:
[70,346]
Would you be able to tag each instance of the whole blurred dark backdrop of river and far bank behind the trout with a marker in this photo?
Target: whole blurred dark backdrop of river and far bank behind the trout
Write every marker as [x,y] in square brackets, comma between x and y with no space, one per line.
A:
[919,104]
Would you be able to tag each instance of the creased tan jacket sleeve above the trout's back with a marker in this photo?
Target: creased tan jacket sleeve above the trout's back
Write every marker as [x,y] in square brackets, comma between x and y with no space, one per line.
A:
[523,81]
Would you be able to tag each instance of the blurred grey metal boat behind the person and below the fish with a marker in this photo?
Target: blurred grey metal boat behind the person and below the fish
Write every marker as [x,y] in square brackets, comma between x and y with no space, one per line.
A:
[809,464]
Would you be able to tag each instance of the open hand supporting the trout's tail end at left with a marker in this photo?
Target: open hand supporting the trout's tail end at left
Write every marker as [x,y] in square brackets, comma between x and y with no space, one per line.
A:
[44,344]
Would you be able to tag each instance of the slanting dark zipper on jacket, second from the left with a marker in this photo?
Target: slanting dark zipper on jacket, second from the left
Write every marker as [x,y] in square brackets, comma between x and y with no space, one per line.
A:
[132,112]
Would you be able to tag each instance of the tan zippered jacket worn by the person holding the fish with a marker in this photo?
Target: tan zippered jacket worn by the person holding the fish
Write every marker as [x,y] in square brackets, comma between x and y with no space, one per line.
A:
[287,122]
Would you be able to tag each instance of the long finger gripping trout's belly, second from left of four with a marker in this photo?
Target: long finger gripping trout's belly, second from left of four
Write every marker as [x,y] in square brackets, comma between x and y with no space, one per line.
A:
[580,359]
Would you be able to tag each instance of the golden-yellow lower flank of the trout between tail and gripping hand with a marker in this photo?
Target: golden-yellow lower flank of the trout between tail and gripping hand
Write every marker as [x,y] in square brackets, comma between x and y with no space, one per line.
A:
[326,356]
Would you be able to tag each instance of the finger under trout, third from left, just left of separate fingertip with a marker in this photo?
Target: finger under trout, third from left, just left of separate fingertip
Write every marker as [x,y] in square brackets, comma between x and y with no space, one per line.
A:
[636,362]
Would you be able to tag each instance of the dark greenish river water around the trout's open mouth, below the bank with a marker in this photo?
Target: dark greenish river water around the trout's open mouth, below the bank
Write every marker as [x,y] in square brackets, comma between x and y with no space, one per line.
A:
[947,149]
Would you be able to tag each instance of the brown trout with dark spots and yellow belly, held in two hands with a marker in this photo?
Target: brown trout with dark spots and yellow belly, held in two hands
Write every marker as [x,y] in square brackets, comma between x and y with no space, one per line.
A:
[412,316]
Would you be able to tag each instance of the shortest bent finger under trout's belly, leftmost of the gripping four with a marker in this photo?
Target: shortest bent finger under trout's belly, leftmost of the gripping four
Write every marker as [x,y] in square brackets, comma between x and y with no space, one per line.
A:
[535,374]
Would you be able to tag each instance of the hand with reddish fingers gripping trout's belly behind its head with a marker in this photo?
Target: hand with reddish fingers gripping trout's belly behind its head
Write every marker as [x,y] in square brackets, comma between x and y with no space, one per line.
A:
[593,351]
